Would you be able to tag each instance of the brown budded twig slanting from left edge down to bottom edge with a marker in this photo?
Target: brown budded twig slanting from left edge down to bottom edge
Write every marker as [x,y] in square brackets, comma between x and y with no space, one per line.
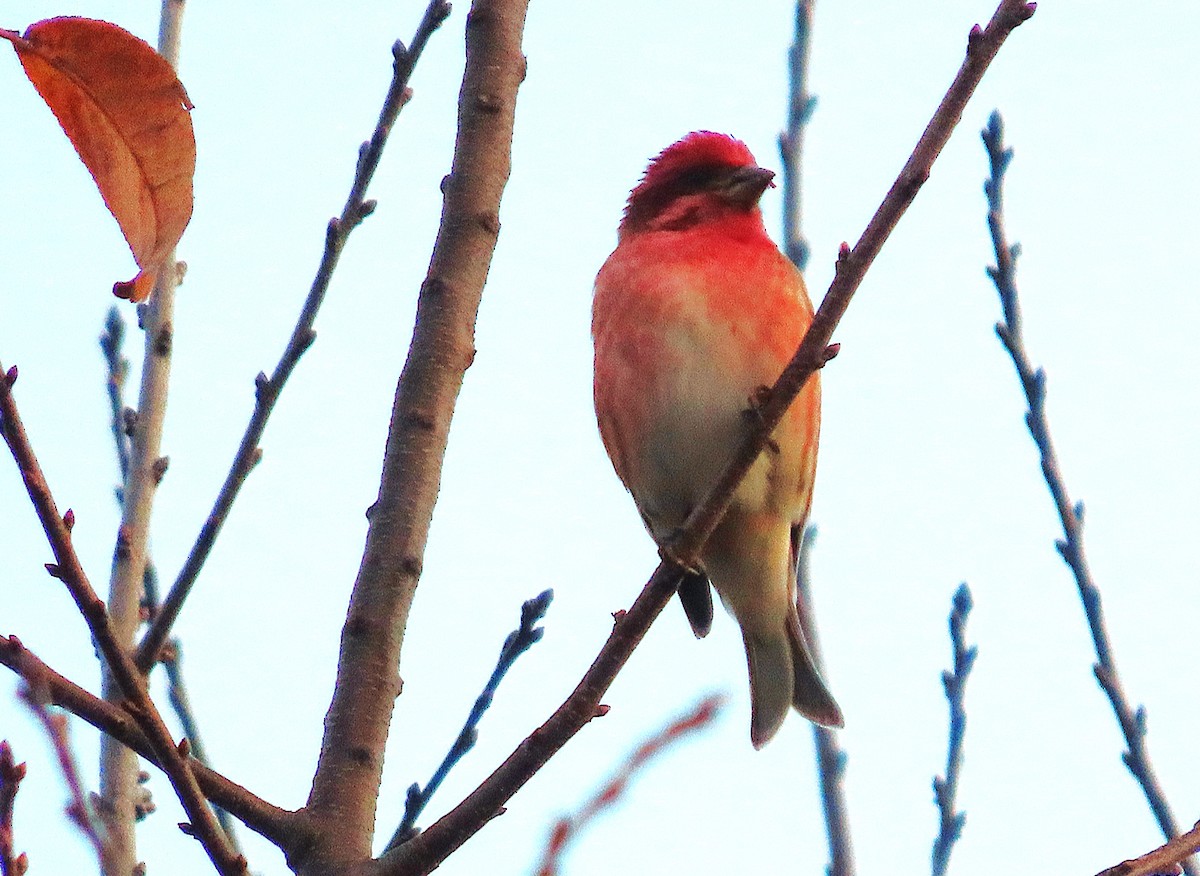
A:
[127,677]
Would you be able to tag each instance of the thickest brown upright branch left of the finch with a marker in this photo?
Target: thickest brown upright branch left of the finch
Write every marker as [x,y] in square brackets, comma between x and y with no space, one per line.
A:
[346,785]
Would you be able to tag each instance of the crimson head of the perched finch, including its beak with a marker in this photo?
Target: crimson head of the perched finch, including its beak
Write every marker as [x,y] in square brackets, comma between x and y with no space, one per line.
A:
[701,178]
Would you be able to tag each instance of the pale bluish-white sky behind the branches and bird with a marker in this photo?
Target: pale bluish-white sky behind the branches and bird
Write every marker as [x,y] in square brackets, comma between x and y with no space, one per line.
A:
[927,476]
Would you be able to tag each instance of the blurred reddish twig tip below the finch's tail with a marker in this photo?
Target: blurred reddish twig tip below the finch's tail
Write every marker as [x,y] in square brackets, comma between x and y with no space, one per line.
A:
[568,829]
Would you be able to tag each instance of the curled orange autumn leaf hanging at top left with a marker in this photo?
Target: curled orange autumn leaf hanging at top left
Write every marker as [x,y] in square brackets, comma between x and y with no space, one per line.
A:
[125,111]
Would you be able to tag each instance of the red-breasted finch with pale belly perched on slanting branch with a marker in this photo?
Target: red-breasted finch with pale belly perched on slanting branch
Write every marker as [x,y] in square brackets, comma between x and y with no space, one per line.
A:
[695,311]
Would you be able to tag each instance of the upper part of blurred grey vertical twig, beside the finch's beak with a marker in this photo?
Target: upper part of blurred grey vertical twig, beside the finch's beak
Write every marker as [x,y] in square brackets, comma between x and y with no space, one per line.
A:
[791,142]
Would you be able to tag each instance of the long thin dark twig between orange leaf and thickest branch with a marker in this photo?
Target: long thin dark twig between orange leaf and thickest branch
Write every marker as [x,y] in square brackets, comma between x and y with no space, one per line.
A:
[267,391]
